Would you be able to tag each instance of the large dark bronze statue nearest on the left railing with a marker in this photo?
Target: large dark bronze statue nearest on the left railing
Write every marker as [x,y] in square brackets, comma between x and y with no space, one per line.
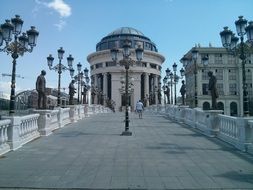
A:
[41,89]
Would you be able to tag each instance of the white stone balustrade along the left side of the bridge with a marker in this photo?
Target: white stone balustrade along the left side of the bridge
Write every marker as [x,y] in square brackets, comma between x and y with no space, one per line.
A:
[15,131]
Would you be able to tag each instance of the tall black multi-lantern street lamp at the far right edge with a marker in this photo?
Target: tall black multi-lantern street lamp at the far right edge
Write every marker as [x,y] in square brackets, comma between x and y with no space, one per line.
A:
[229,41]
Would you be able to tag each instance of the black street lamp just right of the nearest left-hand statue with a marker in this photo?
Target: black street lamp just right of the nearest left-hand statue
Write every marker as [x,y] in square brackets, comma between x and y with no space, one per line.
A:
[59,68]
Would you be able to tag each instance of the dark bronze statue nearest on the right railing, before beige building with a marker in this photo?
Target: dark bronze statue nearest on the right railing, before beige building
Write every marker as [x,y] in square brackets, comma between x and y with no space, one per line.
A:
[213,89]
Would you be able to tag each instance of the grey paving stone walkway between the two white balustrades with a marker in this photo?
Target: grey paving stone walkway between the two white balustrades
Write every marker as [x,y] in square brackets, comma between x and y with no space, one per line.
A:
[91,154]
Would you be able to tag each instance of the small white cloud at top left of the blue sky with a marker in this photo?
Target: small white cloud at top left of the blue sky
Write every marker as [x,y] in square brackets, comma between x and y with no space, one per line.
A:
[61,7]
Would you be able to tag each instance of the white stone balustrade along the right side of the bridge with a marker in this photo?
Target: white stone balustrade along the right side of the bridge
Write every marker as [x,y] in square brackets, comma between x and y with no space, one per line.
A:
[237,131]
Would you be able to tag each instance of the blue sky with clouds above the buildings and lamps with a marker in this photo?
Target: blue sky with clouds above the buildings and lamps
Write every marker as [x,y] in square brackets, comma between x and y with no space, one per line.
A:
[78,25]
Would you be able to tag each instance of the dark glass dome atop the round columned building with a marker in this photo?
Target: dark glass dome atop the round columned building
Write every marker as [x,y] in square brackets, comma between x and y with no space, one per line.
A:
[120,34]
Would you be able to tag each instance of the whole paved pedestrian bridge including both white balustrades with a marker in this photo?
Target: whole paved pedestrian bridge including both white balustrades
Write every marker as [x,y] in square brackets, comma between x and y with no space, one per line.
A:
[80,147]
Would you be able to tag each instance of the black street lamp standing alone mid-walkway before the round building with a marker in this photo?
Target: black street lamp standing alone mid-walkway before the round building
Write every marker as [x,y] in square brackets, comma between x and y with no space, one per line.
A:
[127,61]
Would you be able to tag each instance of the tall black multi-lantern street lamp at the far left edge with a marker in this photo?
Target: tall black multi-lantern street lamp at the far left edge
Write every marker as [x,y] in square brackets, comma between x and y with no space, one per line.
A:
[20,45]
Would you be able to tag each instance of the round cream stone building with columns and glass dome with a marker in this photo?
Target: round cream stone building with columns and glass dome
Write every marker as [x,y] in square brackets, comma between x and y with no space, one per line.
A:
[108,77]
